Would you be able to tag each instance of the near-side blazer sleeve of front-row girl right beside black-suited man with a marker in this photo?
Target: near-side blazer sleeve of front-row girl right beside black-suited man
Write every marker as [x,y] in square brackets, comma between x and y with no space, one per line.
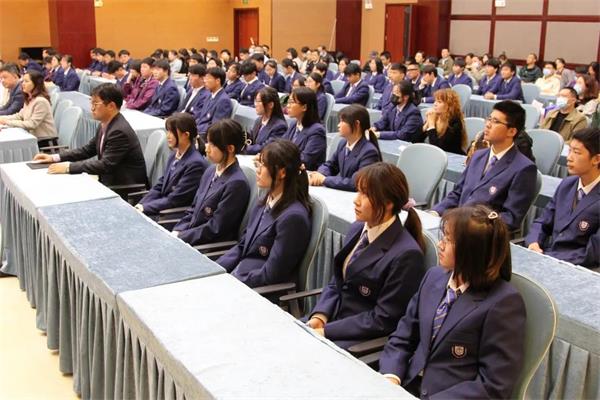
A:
[180,193]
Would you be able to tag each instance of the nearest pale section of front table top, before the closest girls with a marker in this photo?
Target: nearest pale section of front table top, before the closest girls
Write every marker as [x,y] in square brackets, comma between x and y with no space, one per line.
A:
[208,333]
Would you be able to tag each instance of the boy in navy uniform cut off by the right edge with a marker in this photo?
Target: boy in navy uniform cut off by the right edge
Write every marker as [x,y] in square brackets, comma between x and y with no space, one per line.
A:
[569,227]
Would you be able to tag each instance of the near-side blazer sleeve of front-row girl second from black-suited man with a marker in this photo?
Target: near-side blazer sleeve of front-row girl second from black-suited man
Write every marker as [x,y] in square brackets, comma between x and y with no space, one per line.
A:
[225,217]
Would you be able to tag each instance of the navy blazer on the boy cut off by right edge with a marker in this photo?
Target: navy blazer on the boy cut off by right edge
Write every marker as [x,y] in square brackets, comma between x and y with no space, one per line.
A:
[569,234]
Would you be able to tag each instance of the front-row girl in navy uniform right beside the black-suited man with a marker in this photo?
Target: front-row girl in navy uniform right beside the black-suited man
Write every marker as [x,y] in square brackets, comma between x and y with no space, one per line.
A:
[185,167]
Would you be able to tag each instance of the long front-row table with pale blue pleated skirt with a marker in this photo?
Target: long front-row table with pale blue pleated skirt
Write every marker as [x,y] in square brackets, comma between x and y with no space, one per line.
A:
[135,312]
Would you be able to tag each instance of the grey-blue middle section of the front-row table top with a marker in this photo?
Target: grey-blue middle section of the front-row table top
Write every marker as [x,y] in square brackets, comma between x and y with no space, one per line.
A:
[114,248]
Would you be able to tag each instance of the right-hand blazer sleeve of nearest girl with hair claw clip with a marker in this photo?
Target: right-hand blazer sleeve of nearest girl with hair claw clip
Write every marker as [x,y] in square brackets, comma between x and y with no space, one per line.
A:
[500,353]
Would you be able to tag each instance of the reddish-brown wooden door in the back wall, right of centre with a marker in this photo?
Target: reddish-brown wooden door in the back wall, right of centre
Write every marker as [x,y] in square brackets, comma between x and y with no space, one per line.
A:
[397,31]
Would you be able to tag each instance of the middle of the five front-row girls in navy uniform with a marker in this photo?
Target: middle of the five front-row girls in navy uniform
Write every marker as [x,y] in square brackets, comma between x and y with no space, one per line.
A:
[279,228]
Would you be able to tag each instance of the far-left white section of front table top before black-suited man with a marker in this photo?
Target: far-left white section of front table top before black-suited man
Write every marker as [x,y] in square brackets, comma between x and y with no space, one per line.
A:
[36,188]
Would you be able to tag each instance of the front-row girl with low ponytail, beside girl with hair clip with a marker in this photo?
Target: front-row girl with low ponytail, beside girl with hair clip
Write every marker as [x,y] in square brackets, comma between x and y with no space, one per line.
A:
[380,265]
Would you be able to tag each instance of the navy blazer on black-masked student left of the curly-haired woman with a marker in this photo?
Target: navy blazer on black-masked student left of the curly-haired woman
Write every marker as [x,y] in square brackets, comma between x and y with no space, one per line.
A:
[404,125]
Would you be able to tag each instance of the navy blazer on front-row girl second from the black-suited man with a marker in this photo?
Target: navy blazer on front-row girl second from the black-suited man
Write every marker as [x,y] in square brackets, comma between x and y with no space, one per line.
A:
[218,207]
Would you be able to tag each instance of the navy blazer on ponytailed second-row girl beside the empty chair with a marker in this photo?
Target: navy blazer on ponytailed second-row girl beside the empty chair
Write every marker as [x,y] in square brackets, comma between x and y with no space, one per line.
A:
[340,169]
